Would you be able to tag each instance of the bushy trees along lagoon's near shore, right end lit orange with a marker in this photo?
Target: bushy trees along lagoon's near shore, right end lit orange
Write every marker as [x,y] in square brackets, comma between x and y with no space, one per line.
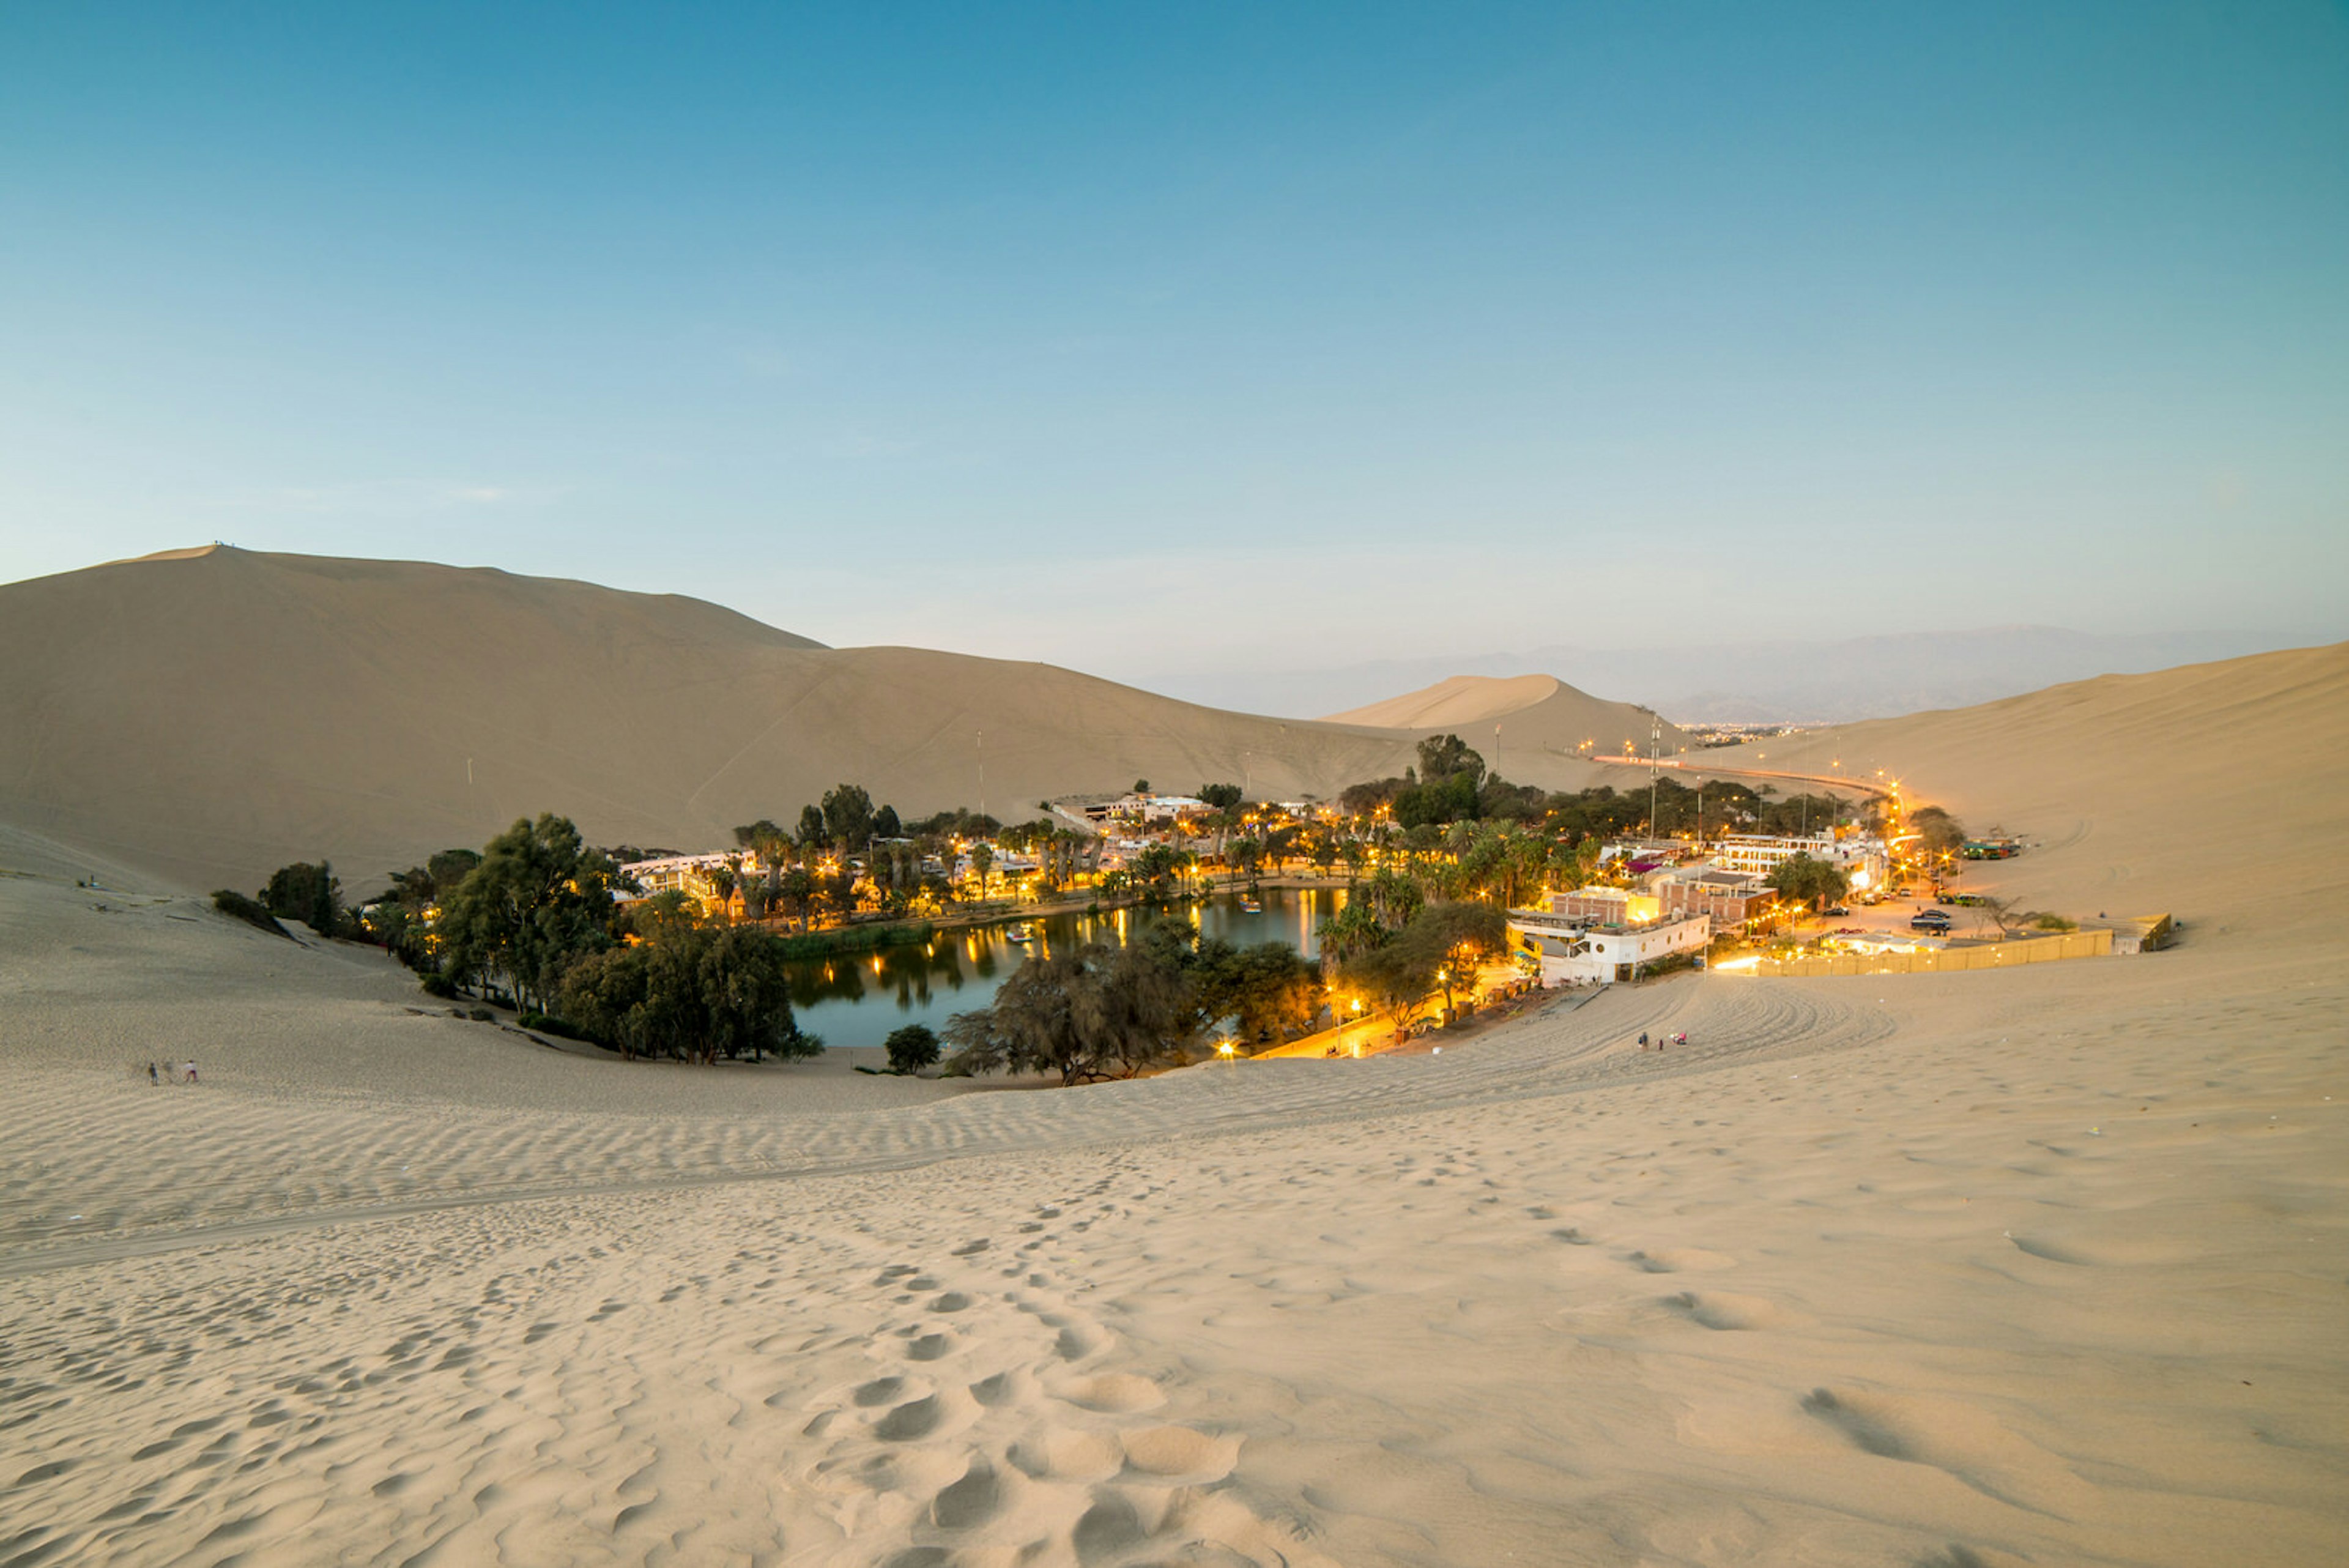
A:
[1108,1012]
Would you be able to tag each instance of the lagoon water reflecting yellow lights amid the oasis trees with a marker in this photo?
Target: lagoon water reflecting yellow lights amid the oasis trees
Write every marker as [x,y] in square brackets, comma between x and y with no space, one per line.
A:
[859,1000]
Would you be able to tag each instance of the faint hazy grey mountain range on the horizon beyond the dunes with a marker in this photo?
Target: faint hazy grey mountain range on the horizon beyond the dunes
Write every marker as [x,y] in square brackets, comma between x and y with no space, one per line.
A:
[1857,678]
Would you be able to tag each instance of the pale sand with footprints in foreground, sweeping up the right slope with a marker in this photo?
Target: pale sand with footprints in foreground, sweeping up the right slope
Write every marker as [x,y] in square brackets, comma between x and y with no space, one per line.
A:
[2035,1266]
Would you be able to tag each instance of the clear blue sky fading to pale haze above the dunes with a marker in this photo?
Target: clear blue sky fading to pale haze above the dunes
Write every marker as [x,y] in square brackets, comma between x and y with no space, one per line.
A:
[1171,342]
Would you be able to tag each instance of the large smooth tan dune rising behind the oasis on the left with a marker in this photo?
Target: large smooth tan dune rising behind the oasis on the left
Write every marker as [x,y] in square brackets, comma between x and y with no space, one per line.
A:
[217,713]
